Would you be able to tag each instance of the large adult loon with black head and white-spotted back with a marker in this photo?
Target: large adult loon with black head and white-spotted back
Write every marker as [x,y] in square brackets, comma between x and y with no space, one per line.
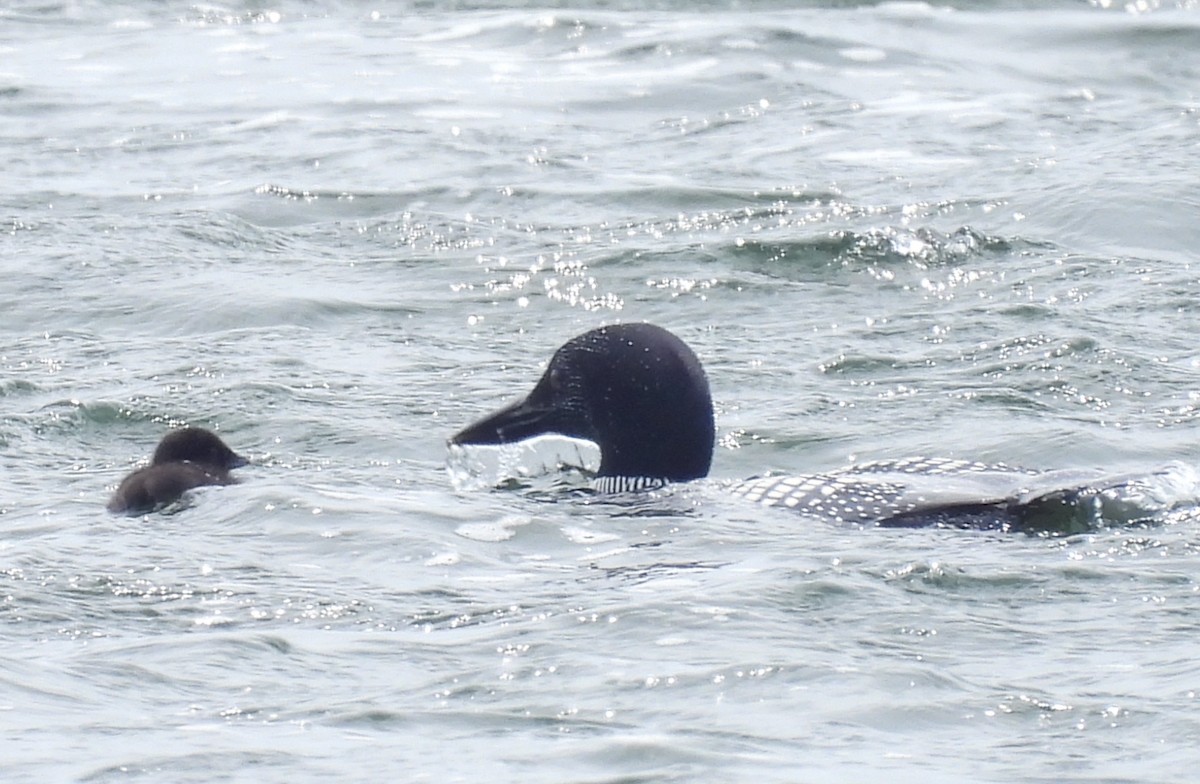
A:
[641,394]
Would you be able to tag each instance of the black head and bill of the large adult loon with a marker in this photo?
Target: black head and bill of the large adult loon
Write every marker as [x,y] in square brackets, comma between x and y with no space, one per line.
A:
[635,391]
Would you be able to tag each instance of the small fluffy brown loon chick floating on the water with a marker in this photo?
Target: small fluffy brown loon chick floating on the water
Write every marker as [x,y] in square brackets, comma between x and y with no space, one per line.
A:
[185,459]
